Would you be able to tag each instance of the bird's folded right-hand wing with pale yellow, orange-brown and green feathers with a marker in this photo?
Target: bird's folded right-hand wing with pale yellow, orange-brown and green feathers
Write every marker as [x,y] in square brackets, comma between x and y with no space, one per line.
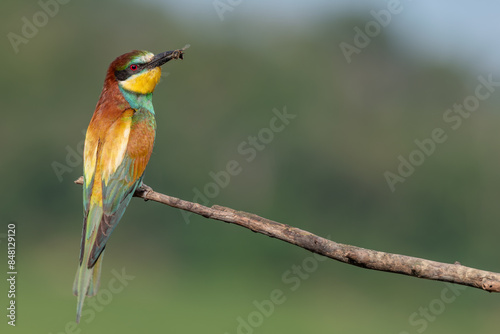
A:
[123,158]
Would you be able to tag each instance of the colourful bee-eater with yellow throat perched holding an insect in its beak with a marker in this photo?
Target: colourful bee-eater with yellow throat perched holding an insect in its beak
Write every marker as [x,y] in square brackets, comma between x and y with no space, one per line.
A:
[118,144]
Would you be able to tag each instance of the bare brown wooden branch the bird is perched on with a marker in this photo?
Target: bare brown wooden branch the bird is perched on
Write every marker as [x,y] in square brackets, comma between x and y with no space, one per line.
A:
[365,258]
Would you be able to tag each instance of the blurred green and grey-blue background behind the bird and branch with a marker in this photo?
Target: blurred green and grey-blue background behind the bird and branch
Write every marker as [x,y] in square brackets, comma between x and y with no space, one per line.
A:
[324,172]
